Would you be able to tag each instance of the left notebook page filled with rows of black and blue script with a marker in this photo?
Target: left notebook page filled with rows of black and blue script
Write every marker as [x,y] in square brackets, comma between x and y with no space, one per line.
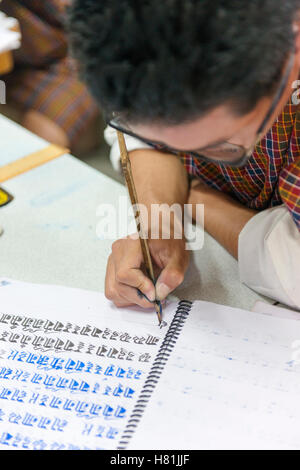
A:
[71,366]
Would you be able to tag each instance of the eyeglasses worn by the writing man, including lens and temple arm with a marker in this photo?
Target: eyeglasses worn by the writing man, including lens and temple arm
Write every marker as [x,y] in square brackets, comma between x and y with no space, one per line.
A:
[218,154]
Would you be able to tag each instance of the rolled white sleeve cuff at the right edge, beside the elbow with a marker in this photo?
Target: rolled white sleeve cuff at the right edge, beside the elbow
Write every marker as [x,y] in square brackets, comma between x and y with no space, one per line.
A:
[269,256]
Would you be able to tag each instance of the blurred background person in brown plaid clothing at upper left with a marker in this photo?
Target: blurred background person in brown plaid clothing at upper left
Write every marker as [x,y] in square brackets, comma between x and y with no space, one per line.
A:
[43,92]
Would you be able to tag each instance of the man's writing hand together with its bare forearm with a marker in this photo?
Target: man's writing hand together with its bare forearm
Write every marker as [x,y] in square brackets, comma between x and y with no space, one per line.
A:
[160,178]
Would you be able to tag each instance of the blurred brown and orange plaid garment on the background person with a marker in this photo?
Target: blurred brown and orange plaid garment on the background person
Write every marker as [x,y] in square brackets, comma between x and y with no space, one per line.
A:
[44,78]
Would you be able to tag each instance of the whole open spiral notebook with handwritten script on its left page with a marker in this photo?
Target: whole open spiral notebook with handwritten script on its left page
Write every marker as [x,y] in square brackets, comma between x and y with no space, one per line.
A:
[77,373]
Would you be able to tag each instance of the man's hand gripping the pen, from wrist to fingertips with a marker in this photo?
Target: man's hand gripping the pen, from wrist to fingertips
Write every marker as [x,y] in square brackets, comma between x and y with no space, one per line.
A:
[125,275]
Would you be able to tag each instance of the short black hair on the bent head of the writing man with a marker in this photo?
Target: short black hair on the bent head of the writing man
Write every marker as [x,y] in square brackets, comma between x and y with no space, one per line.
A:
[174,60]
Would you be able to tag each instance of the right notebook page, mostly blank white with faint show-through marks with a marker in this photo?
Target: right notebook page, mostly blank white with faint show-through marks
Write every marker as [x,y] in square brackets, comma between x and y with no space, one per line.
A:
[230,383]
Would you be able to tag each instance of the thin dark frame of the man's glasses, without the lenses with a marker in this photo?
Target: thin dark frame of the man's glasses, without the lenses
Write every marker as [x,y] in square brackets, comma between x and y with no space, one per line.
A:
[246,152]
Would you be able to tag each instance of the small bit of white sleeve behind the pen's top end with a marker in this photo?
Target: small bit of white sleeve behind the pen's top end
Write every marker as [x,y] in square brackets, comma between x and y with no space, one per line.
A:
[132,143]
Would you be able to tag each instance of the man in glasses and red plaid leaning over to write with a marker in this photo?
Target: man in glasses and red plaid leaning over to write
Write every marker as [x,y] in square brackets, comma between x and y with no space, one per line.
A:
[216,84]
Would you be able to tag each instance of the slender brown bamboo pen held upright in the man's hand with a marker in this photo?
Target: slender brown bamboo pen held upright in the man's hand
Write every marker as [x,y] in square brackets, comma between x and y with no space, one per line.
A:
[126,167]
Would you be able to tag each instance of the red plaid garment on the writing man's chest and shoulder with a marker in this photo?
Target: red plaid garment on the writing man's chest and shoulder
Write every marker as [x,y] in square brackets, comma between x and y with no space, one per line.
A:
[272,174]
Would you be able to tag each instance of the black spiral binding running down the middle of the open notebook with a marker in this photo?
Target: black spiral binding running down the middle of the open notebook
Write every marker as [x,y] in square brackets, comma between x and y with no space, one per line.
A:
[155,372]
